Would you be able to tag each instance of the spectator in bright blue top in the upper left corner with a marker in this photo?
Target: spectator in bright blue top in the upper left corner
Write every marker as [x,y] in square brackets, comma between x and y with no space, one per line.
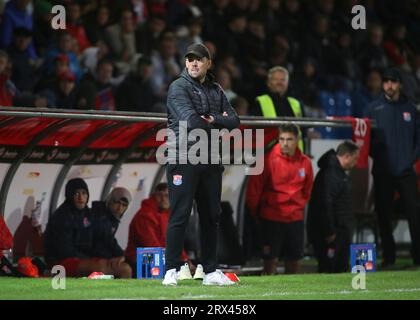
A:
[15,15]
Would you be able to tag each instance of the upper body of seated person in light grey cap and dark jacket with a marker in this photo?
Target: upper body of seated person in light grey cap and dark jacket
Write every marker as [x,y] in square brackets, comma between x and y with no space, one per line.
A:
[106,219]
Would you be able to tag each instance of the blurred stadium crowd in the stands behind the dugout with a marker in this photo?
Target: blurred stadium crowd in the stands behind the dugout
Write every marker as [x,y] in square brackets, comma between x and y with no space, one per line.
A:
[122,55]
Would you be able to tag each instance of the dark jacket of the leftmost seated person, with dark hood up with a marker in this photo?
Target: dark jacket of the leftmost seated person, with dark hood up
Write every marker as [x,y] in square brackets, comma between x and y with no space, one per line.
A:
[68,233]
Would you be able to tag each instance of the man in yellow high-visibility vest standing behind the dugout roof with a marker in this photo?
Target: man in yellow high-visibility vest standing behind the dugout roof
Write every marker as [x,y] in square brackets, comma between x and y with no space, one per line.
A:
[276,103]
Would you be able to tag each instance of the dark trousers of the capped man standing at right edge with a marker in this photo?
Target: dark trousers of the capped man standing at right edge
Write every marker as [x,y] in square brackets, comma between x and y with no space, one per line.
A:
[385,187]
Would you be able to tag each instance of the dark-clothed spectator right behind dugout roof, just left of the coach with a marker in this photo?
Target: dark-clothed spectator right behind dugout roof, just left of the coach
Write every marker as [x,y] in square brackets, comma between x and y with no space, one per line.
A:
[135,92]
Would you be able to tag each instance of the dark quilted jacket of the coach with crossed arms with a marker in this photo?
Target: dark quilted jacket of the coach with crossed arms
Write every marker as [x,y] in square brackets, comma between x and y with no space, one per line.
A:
[188,100]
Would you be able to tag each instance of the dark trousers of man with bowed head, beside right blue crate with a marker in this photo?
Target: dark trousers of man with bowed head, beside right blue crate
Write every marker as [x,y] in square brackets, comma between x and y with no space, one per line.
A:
[333,257]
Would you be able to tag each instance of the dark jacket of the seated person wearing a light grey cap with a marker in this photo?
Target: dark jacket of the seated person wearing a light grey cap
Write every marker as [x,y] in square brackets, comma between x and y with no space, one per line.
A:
[105,225]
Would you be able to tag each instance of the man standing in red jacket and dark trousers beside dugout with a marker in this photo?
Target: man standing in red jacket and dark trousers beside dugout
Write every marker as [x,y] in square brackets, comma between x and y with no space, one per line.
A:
[277,198]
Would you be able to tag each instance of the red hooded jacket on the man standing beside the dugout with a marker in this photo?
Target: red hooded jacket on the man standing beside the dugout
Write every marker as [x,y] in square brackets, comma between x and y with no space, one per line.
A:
[281,192]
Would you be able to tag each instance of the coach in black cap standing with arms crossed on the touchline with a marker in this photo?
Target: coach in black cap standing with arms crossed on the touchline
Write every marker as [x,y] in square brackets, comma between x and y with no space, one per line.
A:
[195,100]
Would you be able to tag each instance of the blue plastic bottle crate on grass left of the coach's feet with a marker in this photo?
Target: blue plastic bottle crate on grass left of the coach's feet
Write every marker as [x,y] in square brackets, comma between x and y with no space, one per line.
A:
[150,263]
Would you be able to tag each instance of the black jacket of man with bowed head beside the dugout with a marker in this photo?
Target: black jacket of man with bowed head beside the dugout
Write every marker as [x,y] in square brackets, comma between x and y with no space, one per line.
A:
[330,204]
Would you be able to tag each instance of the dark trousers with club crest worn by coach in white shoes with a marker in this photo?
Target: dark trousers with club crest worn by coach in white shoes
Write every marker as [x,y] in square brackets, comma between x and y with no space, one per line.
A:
[202,183]
